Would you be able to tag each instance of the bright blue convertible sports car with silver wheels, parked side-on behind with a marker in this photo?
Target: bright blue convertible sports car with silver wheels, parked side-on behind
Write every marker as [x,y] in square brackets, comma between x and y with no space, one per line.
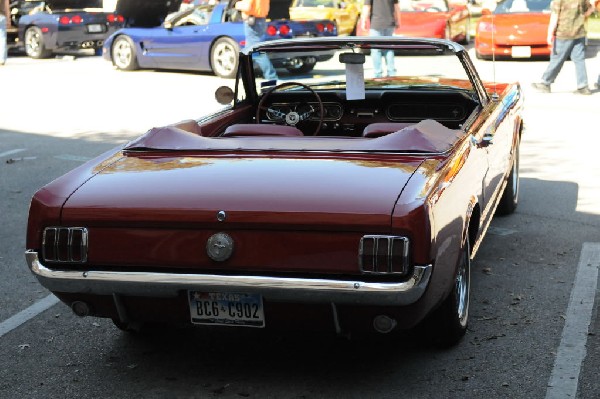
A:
[205,37]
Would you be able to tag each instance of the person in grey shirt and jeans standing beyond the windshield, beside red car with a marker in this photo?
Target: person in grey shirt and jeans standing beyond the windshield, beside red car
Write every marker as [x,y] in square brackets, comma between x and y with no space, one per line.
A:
[383,17]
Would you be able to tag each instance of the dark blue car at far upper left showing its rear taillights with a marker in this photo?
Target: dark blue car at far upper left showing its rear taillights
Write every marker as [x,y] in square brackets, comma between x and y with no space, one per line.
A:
[57,25]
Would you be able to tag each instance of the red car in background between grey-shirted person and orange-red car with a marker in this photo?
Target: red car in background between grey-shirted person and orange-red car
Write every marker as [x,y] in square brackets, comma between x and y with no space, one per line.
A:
[431,18]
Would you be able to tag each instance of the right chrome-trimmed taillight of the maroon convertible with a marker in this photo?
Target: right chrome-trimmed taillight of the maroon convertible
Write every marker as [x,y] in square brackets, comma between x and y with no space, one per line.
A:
[393,250]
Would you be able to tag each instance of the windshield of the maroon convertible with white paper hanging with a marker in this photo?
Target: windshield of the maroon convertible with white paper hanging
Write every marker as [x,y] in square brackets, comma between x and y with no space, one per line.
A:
[427,70]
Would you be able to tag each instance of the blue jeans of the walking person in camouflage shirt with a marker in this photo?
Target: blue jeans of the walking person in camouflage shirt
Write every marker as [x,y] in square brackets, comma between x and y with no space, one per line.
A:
[563,48]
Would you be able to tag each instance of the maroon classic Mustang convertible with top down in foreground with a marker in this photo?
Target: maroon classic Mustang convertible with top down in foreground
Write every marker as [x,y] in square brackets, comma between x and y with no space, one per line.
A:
[330,201]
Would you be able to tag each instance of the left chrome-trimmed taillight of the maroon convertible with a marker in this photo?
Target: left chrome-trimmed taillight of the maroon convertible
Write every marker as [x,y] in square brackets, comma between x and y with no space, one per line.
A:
[65,244]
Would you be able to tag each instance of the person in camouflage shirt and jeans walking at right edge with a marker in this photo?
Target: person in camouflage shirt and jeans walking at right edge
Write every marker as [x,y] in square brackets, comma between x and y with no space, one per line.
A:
[566,34]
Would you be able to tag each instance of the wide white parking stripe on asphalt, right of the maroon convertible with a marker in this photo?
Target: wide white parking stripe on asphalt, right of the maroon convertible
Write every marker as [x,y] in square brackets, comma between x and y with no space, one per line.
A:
[572,350]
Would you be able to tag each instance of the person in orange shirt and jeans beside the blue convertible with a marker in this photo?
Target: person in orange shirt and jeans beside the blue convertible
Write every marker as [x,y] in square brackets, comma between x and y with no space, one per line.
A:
[254,13]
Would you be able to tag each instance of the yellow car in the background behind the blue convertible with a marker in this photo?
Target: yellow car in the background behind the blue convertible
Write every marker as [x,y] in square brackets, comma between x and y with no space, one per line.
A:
[344,13]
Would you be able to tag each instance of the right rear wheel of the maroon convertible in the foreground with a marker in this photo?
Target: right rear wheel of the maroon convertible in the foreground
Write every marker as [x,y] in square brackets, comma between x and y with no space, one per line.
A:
[450,321]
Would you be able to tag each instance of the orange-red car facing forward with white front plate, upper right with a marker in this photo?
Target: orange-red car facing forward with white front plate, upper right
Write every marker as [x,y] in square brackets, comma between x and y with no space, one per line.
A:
[514,29]
